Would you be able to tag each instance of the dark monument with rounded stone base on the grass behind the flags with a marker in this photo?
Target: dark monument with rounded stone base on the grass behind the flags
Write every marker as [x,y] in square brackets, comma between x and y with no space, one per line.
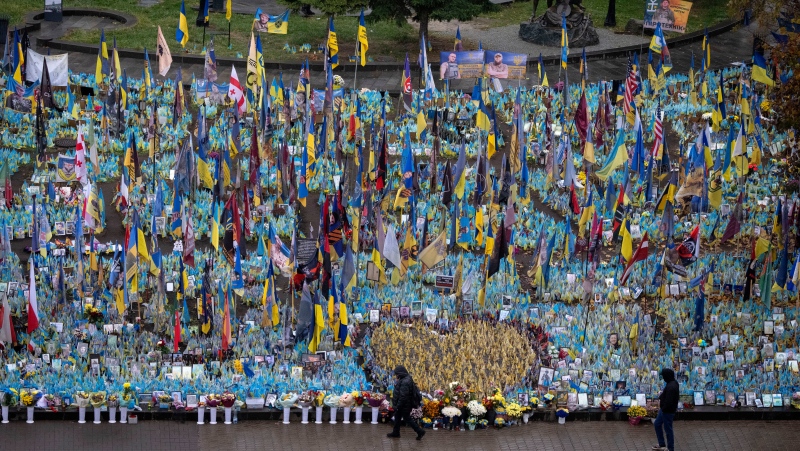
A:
[546,29]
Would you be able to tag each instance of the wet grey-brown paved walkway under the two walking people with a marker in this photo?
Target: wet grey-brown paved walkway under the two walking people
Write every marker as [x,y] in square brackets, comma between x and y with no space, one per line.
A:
[260,435]
